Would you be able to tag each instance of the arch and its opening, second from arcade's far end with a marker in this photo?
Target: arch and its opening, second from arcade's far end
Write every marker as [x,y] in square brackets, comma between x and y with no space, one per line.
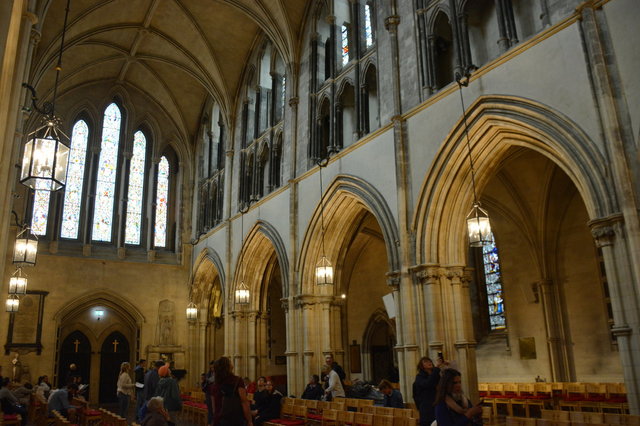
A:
[262,265]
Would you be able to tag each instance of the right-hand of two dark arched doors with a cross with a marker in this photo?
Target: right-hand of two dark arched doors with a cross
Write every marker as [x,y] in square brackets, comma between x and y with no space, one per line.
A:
[113,352]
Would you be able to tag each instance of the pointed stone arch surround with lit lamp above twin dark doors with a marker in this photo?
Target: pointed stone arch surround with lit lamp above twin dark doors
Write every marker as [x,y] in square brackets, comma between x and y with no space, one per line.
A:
[119,315]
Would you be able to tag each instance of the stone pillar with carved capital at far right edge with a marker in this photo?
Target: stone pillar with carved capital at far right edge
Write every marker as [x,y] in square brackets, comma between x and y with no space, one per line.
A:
[610,235]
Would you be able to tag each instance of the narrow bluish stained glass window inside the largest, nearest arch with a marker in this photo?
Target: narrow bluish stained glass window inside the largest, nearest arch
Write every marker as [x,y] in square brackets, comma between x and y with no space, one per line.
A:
[493,282]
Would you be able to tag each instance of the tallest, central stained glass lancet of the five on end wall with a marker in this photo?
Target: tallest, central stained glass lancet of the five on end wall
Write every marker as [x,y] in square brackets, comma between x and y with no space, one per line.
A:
[107,167]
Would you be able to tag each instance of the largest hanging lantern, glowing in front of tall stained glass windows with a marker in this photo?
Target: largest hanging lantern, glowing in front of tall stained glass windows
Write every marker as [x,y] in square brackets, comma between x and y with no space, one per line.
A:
[46,156]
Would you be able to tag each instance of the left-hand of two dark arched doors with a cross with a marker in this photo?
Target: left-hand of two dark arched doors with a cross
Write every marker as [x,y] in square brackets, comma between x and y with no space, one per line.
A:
[75,349]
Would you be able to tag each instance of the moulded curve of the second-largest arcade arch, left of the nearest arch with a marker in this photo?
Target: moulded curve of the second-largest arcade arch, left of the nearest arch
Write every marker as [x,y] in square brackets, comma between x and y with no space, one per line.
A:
[344,201]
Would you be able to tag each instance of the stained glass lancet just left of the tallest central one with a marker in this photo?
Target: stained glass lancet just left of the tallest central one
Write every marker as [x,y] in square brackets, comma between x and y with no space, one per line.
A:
[75,177]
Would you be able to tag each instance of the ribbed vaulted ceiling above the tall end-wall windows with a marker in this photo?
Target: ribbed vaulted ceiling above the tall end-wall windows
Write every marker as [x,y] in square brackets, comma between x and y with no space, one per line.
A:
[176,52]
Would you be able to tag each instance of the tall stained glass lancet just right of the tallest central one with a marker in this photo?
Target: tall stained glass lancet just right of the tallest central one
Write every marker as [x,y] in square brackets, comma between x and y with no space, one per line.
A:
[136,189]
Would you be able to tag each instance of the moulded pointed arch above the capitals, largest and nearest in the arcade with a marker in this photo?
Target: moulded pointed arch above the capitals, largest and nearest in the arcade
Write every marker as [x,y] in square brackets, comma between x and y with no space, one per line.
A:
[496,123]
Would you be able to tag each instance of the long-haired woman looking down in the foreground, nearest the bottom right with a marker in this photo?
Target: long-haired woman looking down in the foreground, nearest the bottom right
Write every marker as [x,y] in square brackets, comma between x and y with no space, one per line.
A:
[453,408]
